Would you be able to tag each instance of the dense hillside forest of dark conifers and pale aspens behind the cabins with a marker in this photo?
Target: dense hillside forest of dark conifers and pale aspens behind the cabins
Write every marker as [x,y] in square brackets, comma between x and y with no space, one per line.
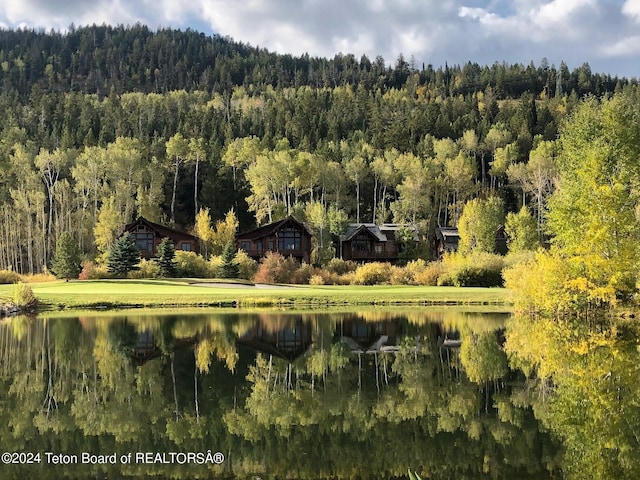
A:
[102,124]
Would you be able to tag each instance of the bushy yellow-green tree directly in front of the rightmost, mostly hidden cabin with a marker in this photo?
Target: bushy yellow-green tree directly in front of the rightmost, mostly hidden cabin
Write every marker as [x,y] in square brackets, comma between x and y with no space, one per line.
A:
[479,223]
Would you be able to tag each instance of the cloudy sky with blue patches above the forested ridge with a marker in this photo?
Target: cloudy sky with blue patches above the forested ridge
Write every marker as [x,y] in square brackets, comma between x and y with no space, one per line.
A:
[603,33]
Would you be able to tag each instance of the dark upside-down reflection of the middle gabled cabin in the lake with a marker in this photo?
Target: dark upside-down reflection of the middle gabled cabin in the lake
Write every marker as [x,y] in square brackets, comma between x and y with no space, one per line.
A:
[288,342]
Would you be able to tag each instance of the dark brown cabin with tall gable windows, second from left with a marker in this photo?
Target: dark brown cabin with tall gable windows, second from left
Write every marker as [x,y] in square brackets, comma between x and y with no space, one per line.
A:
[288,237]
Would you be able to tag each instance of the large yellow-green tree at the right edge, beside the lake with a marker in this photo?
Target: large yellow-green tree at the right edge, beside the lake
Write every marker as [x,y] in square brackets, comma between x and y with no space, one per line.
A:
[593,214]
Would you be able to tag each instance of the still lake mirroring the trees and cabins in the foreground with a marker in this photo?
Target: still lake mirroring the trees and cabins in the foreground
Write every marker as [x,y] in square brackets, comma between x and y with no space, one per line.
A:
[445,392]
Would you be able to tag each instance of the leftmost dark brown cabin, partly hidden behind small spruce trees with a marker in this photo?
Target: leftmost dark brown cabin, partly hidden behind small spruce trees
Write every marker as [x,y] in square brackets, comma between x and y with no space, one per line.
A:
[148,236]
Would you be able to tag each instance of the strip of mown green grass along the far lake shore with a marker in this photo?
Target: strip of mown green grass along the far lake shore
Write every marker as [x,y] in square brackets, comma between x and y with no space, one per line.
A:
[189,292]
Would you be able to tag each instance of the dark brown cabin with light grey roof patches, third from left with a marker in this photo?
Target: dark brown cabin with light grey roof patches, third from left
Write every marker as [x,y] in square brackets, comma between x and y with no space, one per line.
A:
[364,242]
